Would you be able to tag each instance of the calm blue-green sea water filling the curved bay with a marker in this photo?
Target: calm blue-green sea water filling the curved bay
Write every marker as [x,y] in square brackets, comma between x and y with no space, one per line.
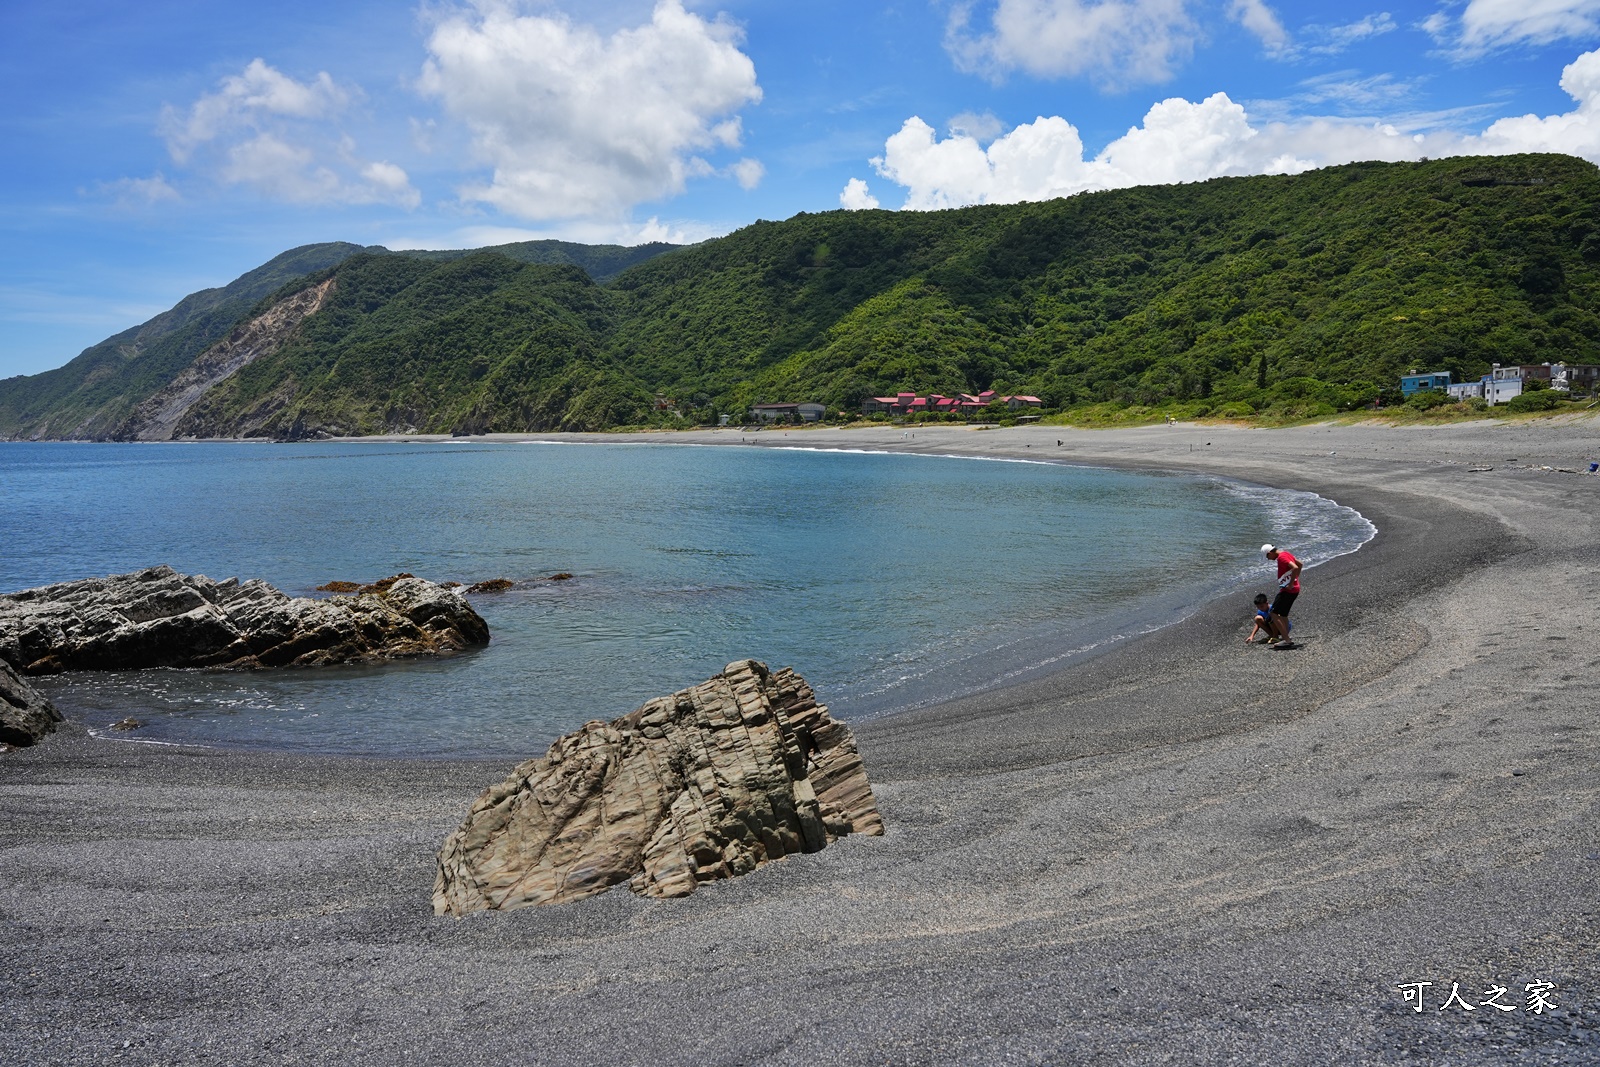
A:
[886,580]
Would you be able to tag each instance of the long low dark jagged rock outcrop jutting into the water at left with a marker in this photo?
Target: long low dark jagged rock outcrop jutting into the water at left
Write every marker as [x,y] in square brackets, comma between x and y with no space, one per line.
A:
[159,618]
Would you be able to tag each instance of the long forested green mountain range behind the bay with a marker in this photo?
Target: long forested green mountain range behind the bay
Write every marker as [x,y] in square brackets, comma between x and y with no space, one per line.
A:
[1292,294]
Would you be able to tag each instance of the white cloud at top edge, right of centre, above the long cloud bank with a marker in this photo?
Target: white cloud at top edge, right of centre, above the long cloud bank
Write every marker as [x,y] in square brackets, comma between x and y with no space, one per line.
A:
[1114,42]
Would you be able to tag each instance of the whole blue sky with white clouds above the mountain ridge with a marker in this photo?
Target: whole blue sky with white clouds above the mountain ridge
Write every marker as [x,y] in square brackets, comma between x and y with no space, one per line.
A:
[162,148]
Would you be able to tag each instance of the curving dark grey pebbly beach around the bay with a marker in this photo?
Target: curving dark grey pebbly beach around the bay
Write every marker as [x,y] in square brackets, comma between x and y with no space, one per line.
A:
[1185,850]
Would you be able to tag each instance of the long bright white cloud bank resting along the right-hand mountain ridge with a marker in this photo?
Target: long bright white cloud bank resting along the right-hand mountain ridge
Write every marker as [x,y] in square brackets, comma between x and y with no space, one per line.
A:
[1183,142]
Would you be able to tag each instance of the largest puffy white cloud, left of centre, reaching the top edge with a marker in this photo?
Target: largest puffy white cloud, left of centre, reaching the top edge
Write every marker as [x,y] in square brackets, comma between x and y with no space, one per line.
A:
[577,124]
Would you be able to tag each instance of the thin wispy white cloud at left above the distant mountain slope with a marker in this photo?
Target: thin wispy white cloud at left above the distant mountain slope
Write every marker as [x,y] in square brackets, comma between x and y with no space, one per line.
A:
[279,137]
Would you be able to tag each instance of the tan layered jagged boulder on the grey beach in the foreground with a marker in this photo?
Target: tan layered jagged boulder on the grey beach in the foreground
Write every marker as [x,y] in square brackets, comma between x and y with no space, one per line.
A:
[703,785]
